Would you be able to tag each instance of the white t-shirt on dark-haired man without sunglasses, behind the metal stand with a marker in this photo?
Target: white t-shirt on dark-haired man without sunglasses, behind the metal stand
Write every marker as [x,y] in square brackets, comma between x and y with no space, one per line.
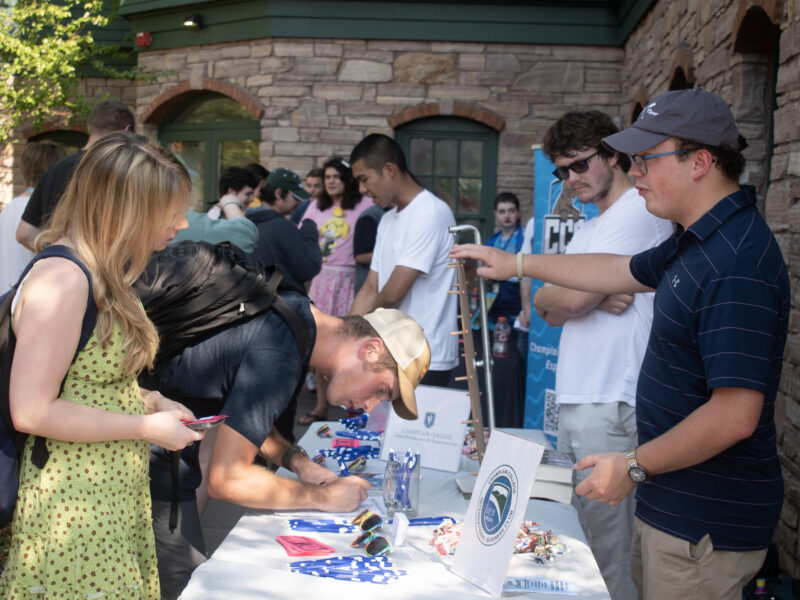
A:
[417,237]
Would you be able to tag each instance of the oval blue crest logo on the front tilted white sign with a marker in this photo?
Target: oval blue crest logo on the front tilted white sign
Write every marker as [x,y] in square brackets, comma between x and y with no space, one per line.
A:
[496,505]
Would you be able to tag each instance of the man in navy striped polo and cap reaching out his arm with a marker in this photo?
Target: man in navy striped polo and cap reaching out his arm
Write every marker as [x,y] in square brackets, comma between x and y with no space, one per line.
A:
[708,481]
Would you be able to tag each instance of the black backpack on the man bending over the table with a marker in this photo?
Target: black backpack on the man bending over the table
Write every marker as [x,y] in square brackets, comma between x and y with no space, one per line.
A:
[191,290]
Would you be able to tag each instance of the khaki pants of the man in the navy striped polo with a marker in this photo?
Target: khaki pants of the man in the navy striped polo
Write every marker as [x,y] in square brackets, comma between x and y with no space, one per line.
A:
[665,567]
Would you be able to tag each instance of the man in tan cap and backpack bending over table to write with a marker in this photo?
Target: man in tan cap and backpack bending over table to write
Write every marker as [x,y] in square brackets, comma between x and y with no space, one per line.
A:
[248,370]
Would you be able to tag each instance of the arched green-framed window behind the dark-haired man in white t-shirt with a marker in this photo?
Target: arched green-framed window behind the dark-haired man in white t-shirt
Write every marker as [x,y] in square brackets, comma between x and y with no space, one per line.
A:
[456,159]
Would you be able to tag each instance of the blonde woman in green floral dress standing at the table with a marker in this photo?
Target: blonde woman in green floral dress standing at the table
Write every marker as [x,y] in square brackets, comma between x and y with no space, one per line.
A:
[82,525]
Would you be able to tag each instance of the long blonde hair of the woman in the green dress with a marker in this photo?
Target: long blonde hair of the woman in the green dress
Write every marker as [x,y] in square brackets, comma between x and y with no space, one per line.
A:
[119,200]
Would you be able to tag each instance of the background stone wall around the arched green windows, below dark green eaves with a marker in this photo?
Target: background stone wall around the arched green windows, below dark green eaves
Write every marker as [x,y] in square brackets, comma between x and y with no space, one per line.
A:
[320,97]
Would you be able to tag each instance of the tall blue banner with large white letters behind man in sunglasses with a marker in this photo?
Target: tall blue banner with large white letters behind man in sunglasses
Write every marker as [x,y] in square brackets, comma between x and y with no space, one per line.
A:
[555,221]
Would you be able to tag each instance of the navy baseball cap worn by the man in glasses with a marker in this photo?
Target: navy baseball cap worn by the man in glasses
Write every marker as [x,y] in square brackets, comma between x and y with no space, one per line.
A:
[694,115]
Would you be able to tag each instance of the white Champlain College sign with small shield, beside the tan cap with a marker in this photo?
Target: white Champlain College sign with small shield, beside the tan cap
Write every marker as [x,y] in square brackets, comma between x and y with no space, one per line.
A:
[437,435]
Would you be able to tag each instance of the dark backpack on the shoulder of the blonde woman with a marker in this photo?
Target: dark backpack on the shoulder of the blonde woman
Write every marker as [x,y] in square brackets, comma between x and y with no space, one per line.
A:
[12,441]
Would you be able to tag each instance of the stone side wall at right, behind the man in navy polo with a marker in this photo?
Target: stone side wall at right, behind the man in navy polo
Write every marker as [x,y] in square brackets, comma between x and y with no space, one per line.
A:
[699,37]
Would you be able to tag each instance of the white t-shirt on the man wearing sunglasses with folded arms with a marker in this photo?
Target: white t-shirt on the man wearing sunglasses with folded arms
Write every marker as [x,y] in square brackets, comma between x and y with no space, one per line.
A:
[600,354]
